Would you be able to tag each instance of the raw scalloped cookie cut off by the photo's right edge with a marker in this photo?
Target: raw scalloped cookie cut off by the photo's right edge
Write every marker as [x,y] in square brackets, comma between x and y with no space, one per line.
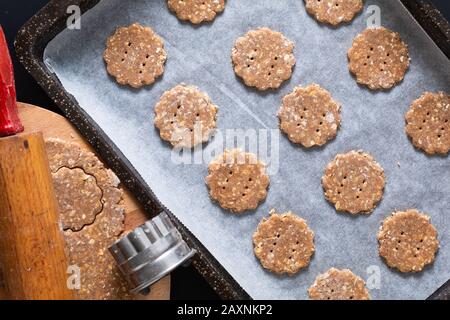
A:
[428,123]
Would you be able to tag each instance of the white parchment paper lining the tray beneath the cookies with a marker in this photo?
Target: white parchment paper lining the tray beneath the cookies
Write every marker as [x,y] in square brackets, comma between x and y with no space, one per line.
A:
[372,121]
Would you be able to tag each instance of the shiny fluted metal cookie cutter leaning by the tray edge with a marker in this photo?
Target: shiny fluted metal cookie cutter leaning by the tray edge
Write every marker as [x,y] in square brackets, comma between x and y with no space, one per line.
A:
[150,252]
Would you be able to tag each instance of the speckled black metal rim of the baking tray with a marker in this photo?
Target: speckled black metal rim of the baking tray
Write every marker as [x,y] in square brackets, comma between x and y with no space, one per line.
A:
[51,20]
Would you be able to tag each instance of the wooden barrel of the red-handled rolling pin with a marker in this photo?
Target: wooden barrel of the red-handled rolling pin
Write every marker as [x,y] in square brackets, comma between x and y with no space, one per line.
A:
[32,256]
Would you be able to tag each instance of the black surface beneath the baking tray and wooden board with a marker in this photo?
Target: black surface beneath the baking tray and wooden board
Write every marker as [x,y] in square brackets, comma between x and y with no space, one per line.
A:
[186,282]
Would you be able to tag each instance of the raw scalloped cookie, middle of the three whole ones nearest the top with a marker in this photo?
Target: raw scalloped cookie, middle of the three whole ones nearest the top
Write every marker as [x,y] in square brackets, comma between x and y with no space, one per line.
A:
[263,58]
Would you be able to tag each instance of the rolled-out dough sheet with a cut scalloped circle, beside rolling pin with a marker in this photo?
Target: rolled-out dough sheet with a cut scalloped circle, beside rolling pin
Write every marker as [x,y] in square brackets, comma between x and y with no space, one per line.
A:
[73,167]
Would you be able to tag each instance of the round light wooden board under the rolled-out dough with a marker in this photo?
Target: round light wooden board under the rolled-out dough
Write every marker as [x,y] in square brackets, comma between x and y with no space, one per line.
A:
[53,125]
